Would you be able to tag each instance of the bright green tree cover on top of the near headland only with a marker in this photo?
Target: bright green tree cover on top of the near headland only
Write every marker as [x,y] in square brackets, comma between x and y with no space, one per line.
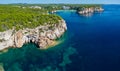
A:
[20,18]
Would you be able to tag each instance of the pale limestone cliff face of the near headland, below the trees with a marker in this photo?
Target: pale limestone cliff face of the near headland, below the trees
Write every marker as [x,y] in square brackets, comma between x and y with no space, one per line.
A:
[43,36]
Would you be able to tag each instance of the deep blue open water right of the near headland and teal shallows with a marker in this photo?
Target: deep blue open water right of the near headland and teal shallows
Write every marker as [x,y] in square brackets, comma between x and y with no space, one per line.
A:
[96,38]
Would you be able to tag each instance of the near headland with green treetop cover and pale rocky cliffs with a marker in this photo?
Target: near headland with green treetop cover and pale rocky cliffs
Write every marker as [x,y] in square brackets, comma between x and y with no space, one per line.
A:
[19,25]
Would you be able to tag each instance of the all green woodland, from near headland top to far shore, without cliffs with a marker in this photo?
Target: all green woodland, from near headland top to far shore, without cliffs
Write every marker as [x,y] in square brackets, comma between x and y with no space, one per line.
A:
[20,16]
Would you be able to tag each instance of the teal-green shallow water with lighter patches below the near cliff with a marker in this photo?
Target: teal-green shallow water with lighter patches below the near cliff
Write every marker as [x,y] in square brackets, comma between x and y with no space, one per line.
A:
[30,58]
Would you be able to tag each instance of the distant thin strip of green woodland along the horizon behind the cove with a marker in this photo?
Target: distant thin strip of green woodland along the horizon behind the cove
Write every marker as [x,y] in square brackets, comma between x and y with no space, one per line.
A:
[52,7]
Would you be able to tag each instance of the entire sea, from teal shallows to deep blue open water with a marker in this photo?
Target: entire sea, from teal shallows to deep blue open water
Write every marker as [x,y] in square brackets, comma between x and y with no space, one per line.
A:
[90,44]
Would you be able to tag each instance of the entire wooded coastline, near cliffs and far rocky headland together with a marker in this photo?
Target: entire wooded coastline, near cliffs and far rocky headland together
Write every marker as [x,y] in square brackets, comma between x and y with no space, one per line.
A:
[36,23]
